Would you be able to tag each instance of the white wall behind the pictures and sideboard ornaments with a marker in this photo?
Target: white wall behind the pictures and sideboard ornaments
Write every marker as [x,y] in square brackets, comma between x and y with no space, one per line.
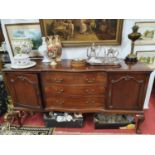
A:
[80,52]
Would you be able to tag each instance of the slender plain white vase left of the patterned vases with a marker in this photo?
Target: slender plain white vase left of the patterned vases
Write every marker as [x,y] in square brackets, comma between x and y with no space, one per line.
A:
[43,49]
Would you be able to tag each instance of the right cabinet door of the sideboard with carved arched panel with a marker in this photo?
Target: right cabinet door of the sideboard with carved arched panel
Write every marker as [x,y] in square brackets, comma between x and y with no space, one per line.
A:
[126,91]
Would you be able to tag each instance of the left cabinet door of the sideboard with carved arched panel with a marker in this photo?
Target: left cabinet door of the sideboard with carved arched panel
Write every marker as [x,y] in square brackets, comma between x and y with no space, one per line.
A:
[24,90]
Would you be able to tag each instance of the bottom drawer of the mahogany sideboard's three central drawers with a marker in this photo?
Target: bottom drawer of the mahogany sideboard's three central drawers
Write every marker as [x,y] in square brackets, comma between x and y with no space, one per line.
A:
[74,102]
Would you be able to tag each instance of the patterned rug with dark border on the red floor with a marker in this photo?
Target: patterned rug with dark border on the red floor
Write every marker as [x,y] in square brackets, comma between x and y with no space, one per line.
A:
[25,131]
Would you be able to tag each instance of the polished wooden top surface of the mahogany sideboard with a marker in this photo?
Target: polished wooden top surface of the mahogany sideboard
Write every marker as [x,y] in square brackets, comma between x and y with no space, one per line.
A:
[65,65]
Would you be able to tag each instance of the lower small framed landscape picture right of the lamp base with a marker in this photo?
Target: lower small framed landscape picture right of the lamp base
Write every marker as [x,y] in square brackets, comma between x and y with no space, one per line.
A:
[148,57]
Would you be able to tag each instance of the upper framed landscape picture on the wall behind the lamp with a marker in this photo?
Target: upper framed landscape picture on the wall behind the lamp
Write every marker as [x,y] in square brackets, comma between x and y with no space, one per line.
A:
[147,30]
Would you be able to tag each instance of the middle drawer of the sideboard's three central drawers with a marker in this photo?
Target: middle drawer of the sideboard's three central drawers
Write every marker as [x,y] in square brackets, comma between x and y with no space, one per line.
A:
[67,90]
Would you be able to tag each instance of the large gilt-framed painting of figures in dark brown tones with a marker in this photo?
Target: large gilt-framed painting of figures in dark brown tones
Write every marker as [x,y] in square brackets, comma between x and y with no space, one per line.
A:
[83,32]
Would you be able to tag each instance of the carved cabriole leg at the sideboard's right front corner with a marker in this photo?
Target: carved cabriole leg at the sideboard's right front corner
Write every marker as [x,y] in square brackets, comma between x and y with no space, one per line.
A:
[139,120]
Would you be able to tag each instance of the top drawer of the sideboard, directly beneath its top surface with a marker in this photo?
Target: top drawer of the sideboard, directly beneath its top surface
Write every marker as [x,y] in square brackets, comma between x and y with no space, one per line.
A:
[74,78]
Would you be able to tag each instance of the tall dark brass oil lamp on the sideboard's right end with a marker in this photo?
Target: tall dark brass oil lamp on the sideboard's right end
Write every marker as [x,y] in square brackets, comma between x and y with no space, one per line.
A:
[132,58]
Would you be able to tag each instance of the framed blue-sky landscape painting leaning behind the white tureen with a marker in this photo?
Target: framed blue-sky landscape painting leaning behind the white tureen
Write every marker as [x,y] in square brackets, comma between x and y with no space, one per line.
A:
[22,31]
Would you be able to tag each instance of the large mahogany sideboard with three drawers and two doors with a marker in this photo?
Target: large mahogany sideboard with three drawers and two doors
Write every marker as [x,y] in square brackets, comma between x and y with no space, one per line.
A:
[86,89]
